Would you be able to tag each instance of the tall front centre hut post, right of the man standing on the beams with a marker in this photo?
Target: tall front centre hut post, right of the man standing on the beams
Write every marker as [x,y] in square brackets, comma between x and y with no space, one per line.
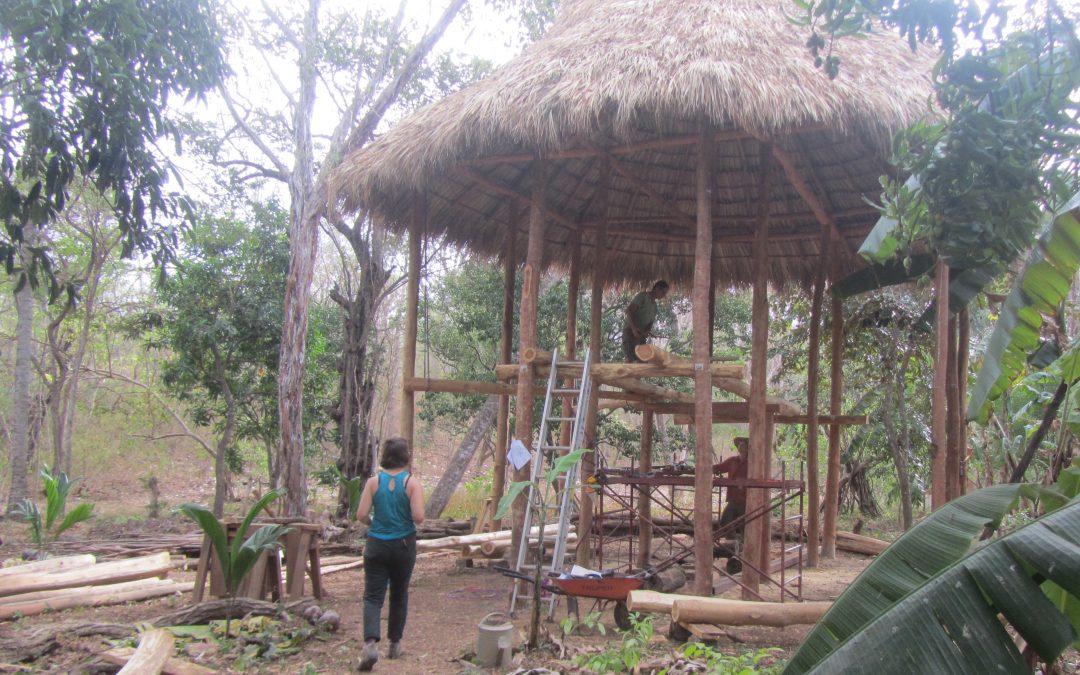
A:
[703,377]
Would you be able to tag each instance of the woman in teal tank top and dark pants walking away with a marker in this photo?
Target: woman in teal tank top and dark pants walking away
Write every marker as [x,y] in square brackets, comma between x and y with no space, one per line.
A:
[390,551]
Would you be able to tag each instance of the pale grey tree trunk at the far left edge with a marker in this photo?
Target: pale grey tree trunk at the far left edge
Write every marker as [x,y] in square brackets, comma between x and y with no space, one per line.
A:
[21,397]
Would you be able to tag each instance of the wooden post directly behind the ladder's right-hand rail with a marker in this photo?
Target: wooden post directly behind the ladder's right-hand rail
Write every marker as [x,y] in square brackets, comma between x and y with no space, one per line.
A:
[596,335]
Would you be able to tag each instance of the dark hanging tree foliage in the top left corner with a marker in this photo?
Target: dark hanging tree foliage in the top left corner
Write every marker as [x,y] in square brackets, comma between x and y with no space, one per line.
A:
[86,86]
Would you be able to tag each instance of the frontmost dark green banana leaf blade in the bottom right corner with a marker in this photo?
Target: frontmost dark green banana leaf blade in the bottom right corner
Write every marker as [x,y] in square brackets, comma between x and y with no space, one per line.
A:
[951,625]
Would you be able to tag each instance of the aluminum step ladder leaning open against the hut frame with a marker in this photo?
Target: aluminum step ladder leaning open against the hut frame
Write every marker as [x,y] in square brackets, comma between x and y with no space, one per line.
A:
[546,456]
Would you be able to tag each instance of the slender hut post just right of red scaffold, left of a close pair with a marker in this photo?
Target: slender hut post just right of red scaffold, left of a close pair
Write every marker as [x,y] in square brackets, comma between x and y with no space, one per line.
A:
[814,497]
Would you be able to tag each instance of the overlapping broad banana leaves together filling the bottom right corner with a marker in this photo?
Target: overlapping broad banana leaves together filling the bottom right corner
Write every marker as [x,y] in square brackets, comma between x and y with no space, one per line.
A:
[931,602]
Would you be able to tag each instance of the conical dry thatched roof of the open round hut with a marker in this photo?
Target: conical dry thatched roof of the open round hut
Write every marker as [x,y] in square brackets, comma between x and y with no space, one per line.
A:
[636,80]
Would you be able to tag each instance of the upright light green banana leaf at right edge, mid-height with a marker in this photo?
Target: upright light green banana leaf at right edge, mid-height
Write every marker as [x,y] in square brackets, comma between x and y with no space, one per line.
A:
[1043,286]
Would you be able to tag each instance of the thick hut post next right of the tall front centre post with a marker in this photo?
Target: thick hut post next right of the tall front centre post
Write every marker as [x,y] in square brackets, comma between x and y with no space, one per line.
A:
[758,531]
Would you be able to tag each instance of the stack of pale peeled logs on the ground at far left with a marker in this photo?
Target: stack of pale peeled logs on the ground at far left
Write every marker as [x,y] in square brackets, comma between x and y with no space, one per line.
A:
[82,582]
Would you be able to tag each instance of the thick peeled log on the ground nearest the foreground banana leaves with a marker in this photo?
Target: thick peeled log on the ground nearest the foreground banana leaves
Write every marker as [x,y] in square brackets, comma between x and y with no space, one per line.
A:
[720,612]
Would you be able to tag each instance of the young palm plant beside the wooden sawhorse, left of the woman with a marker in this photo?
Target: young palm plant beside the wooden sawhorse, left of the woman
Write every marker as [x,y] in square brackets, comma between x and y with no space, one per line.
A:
[238,559]
